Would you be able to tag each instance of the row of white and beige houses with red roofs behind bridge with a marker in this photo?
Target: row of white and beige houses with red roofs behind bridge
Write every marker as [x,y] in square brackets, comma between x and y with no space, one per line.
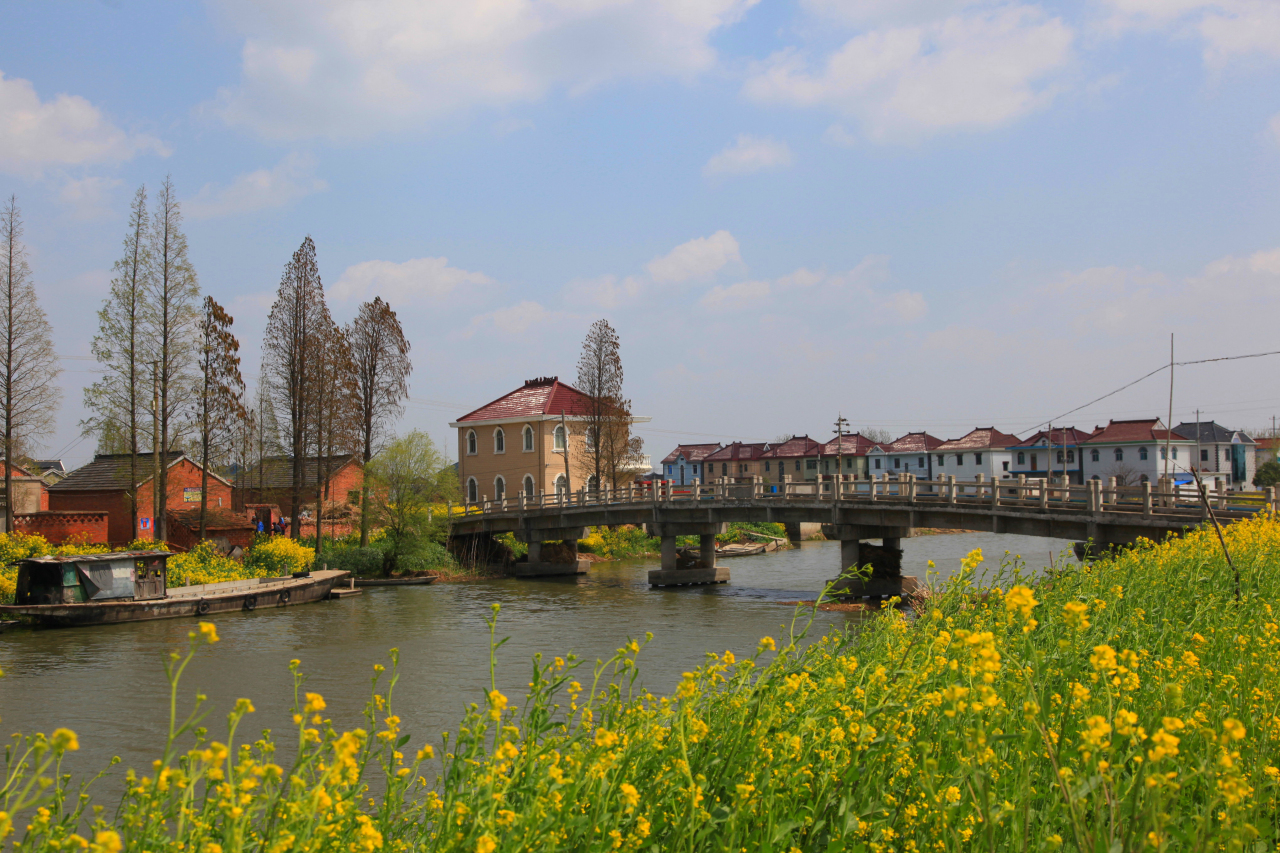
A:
[1132,451]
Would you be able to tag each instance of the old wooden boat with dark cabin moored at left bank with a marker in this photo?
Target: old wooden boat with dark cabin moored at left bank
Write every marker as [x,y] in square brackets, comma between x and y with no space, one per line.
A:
[130,587]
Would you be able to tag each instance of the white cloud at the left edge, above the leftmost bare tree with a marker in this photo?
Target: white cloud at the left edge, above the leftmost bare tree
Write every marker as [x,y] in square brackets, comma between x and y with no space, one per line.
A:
[63,131]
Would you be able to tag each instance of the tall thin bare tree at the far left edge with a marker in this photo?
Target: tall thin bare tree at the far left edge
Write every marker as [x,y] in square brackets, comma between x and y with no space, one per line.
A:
[29,390]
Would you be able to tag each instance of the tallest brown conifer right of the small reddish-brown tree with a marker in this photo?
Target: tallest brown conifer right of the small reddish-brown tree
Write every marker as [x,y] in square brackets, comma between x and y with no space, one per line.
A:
[294,331]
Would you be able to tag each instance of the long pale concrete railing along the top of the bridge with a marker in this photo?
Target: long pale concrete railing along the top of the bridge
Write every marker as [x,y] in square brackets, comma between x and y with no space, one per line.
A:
[1160,499]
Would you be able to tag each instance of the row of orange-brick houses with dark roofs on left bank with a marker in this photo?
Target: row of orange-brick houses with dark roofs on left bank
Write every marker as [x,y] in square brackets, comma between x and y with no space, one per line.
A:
[93,504]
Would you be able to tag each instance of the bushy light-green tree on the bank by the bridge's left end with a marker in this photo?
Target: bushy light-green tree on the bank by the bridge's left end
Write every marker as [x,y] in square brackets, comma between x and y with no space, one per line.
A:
[406,480]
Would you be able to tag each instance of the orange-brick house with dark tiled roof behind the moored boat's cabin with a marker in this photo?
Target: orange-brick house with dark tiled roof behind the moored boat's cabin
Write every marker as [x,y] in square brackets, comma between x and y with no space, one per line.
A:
[103,486]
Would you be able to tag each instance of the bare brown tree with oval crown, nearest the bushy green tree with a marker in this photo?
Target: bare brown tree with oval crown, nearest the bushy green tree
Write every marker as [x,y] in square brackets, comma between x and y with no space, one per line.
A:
[381,354]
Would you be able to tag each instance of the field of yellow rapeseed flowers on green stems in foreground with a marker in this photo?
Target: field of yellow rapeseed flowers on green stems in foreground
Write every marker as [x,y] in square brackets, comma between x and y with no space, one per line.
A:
[1131,705]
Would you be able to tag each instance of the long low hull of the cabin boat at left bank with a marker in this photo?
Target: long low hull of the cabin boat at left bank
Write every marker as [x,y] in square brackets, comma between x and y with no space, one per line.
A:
[208,600]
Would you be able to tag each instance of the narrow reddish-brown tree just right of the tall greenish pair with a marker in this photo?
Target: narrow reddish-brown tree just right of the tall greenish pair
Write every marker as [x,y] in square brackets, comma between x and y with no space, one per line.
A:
[220,395]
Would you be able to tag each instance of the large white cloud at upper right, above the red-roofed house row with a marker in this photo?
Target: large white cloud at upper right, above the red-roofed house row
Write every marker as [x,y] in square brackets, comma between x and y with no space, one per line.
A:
[971,71]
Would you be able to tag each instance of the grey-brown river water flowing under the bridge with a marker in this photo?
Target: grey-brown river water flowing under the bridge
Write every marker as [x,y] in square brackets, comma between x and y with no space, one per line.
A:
[108,683]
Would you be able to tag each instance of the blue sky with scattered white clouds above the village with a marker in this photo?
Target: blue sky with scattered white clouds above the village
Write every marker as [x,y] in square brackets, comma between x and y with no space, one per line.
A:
[918,215]
